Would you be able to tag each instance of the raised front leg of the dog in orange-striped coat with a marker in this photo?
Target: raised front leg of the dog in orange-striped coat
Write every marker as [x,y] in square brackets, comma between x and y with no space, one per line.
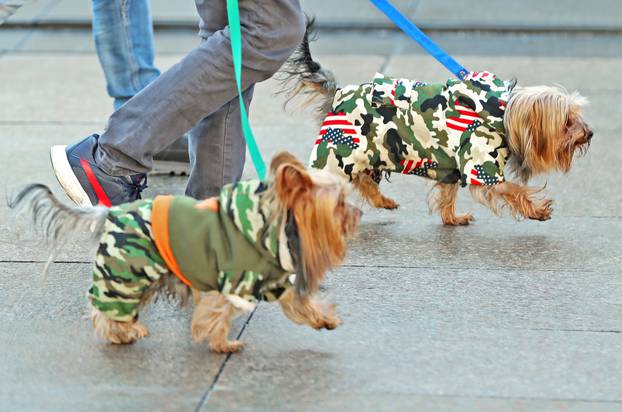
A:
[309,311]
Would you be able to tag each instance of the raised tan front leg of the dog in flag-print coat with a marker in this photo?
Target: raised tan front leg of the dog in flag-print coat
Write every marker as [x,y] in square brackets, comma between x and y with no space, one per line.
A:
[522,201]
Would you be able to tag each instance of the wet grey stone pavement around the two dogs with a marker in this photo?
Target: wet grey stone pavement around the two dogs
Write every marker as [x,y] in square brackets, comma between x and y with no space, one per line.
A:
[500,315]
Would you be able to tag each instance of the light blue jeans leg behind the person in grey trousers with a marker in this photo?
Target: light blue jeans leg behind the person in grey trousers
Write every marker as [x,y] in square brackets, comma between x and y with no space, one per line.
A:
[123,33]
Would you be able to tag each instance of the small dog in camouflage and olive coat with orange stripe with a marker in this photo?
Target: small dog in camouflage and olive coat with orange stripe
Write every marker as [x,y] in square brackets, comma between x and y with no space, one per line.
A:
[238,248]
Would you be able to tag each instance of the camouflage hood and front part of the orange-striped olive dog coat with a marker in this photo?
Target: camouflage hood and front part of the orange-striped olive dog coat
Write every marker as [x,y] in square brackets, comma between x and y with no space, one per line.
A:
[243,204]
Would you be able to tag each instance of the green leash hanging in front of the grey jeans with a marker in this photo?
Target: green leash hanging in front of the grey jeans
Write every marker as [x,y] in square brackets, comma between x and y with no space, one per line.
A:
[233,13]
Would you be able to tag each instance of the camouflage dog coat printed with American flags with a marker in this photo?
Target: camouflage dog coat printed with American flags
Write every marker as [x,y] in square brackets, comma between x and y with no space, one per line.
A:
[450,132]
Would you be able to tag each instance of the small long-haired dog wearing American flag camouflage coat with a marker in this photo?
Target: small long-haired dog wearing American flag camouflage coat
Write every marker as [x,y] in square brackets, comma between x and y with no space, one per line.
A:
[462,133]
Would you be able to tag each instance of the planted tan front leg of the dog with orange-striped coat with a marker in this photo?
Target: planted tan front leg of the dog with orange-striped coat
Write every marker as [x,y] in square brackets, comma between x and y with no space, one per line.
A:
[212,321]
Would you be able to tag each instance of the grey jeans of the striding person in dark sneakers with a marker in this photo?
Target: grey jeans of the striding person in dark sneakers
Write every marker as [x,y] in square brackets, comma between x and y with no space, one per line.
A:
[199,93]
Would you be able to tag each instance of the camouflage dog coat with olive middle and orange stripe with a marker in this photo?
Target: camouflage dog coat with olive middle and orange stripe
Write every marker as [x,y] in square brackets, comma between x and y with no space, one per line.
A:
[234,249]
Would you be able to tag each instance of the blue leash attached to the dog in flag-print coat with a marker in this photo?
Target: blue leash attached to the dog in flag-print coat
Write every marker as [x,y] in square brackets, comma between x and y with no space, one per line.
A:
[420,37]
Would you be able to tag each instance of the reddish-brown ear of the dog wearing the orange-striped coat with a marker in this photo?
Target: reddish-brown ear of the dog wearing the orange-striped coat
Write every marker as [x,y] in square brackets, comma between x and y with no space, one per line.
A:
[292,183]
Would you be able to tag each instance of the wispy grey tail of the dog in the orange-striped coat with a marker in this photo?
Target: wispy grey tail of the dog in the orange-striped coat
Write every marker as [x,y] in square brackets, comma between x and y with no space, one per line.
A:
[57,221]
